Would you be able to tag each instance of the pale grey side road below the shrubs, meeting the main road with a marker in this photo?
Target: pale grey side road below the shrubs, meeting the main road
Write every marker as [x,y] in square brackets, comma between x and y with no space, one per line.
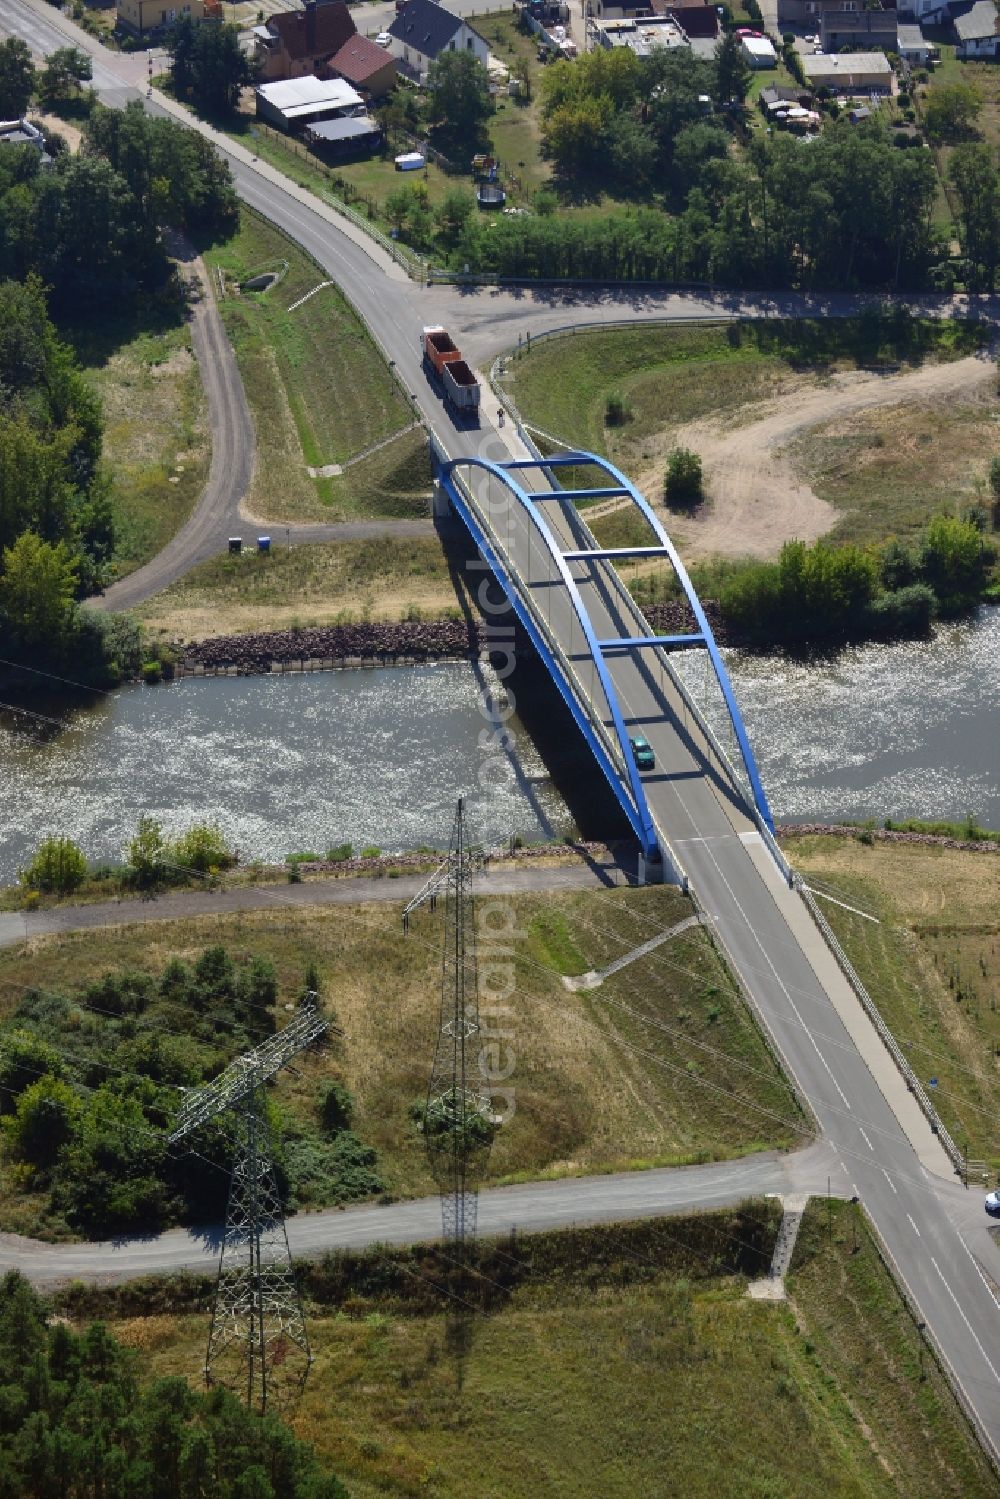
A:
[527,1209]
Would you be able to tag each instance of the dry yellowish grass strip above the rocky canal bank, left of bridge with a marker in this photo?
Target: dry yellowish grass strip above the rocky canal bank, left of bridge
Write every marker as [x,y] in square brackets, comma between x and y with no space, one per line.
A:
[337,582]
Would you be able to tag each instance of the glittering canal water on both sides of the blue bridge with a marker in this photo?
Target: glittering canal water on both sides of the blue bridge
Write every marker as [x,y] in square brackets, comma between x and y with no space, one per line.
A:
[379,758]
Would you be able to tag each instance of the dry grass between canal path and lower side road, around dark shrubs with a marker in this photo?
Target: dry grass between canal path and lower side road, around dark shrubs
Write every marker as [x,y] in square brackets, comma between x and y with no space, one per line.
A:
[680,1076]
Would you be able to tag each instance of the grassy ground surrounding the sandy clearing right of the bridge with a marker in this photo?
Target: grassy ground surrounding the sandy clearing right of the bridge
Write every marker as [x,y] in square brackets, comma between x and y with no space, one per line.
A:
[887,470]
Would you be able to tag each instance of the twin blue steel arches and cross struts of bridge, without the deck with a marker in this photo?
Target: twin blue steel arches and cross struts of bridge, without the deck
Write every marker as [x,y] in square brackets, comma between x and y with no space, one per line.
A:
[632,798]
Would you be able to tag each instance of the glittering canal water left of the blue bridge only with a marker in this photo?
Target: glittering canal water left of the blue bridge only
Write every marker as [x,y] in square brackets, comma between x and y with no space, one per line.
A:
[281,764]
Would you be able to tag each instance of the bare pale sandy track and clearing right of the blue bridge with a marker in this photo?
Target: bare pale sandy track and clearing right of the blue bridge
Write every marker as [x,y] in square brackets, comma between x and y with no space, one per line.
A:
[756,500]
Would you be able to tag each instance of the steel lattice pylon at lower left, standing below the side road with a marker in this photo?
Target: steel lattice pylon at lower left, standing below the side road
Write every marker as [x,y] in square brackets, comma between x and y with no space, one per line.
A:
[257,1344]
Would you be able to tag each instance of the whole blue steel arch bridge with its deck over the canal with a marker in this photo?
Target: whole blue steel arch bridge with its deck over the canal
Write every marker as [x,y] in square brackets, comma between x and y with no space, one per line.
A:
[618,677]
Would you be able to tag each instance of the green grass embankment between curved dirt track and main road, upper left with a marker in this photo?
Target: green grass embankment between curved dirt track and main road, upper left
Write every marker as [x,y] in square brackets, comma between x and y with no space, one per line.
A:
[317,386]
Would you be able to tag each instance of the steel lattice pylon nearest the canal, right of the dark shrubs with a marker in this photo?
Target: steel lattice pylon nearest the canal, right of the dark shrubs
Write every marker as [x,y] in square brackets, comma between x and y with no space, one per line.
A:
[458,1125]
